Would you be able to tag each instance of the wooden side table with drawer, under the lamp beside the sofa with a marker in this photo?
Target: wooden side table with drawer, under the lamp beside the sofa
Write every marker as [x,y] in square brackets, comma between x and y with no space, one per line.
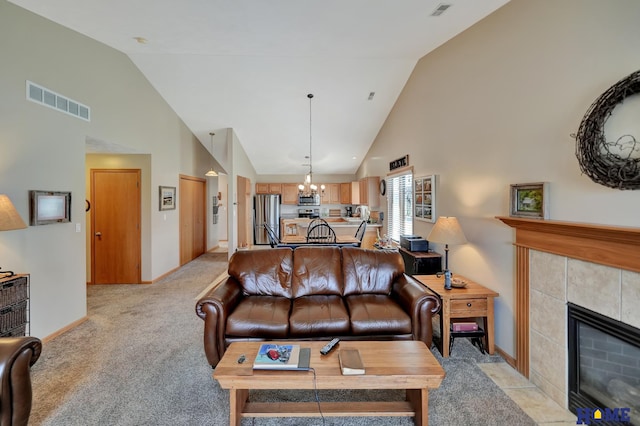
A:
[472,301]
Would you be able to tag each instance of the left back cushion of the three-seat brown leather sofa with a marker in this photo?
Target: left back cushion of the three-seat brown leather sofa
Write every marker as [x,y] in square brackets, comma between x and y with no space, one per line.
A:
[263,272]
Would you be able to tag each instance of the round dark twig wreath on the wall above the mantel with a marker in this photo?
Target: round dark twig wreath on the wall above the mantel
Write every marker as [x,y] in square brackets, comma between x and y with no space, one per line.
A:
[616,163]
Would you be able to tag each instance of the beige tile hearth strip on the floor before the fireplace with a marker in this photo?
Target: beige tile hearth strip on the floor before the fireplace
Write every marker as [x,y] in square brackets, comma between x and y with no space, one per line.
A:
[542,409]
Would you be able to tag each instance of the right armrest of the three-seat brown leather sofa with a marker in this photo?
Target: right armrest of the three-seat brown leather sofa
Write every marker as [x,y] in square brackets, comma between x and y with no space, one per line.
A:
[419,303]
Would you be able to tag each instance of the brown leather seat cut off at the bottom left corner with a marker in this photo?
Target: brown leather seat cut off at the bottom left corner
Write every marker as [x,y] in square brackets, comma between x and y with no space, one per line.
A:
[17,355]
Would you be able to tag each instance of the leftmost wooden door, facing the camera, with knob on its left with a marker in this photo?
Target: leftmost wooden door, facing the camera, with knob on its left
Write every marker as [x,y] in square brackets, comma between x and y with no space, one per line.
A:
[115,226]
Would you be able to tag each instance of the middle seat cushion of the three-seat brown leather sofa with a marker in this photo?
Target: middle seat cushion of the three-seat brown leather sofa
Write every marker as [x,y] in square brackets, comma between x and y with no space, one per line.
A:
[318,316]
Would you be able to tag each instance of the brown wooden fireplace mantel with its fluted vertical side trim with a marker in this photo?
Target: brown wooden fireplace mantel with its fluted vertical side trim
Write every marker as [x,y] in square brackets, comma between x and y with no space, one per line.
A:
[613,246]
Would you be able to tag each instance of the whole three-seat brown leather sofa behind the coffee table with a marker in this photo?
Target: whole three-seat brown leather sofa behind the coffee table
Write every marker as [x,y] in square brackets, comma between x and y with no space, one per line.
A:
[315,293]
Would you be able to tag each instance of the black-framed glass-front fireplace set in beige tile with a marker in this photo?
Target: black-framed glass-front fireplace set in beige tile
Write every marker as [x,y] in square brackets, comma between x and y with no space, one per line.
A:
[604,369]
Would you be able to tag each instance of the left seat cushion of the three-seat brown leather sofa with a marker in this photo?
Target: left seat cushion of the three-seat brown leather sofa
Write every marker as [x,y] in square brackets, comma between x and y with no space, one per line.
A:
[260,316]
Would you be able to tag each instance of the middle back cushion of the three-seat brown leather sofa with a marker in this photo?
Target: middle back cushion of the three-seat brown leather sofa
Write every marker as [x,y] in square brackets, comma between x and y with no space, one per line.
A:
[316,270]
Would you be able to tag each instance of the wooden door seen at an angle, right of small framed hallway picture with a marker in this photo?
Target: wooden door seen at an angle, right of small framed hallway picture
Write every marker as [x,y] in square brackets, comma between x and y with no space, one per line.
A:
[193,232]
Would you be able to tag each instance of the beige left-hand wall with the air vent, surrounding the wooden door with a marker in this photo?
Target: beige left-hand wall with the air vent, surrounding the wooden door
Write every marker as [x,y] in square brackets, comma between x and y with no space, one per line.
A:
[45,149]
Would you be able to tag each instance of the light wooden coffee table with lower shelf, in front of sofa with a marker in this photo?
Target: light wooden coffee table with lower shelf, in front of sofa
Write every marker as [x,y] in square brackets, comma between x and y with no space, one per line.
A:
[405,365]
